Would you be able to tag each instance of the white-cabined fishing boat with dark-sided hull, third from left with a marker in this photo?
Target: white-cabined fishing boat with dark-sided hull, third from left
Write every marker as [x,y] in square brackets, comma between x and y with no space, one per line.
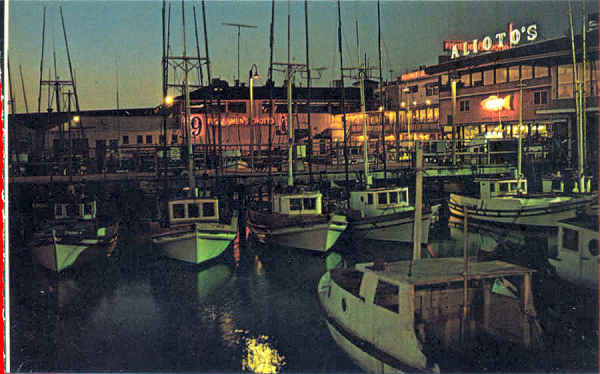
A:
[297,220]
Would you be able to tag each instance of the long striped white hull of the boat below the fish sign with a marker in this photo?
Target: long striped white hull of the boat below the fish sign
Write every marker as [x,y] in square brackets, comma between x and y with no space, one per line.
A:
[519,212]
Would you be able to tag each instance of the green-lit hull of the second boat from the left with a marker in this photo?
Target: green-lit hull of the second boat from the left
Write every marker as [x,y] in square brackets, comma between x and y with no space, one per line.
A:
[195,243]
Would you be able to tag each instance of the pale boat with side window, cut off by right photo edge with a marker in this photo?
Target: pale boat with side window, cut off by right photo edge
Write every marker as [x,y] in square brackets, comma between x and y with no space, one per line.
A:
[576,258]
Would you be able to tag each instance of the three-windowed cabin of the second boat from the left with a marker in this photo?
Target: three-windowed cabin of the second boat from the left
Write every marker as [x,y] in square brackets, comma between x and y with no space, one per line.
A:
[193,210]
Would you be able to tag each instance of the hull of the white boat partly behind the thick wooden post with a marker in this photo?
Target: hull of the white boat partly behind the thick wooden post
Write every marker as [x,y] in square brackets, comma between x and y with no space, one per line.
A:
[394,227]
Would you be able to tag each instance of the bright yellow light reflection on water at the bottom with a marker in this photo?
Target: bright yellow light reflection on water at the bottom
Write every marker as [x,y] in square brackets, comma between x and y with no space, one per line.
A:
[261,357]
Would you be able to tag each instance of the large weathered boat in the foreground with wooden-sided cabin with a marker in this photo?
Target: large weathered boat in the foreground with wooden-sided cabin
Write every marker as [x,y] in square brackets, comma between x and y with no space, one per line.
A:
[407,316]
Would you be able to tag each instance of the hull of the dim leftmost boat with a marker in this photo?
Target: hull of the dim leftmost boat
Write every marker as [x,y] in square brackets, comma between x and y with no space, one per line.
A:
[58,253]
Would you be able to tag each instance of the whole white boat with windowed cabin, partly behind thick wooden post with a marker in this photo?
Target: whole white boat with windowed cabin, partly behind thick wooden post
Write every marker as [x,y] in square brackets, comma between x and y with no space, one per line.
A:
[386,214]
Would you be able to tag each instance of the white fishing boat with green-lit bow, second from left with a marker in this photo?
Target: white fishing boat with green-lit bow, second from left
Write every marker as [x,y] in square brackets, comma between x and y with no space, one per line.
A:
[198,230]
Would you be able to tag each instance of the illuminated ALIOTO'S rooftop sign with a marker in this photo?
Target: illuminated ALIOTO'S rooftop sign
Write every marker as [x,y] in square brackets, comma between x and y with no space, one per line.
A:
[500,41]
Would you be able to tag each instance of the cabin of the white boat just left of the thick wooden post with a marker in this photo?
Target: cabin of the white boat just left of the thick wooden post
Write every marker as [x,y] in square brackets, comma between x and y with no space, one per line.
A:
[378,201]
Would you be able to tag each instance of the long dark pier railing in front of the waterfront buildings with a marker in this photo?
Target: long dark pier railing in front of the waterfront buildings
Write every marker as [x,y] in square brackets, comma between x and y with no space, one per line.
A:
[325,156]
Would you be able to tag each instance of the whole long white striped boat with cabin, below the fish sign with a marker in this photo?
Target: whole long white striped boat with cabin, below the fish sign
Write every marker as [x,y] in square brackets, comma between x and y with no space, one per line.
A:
[505,201]
